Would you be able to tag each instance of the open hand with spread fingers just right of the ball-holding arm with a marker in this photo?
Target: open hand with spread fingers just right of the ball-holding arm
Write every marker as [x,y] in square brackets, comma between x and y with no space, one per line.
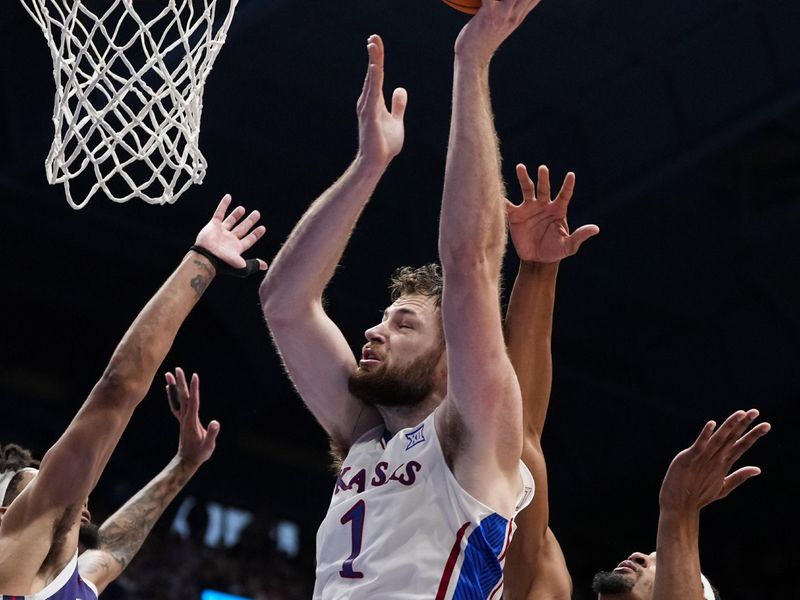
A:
[538,226]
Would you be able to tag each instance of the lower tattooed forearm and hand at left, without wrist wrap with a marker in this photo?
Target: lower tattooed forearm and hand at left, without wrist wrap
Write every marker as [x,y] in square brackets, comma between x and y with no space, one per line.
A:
[124,532]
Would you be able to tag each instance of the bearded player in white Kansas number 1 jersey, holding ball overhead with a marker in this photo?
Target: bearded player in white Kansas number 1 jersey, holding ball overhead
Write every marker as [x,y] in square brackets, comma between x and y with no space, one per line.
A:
[427,421]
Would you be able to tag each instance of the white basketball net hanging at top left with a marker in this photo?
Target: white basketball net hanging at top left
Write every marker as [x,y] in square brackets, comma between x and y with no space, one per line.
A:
[129,93]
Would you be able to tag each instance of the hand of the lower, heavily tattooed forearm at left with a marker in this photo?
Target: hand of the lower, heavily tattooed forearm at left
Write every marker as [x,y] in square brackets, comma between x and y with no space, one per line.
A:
[196,443]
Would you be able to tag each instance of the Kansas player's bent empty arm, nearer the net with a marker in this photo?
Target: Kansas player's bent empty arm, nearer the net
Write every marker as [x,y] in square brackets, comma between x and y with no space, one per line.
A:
[316,355]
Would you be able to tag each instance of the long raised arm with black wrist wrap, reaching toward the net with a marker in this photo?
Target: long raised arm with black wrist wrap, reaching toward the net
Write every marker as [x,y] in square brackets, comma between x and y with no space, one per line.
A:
[50,507]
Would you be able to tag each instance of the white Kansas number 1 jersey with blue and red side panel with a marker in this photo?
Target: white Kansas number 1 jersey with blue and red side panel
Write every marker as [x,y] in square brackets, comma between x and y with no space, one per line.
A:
[400,526]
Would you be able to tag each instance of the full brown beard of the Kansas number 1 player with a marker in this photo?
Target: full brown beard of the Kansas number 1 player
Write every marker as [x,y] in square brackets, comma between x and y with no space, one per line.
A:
[406,386]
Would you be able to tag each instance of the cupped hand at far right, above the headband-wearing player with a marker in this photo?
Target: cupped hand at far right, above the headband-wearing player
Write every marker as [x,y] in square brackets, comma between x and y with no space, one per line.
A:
[701,474]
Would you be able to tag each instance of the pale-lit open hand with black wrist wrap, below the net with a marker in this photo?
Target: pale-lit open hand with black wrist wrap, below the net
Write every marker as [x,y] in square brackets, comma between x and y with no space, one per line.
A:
[228,237]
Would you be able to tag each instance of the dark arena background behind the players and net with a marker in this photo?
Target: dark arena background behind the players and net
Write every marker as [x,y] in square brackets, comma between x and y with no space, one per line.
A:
[681,120]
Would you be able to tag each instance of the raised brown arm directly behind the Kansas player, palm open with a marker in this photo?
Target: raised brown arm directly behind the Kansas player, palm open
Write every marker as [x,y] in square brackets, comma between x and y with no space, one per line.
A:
[535,565]
